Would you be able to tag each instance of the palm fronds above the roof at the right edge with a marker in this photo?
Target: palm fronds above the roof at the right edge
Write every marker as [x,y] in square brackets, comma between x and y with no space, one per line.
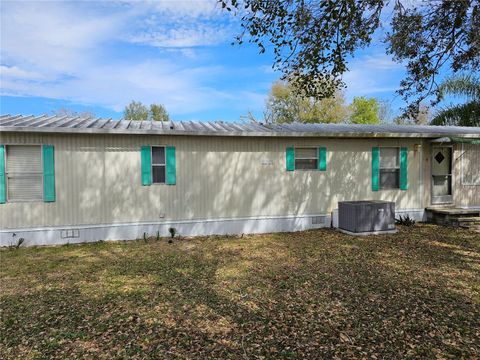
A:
[467,114]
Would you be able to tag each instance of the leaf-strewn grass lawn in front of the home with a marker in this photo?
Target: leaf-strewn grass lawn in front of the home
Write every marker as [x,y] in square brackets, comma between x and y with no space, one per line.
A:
[299,295]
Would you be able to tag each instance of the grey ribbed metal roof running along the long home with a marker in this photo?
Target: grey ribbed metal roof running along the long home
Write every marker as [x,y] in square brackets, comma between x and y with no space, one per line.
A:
[89,125]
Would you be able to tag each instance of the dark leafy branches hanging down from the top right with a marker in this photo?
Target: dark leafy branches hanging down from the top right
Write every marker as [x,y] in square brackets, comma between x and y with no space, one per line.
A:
[312,39]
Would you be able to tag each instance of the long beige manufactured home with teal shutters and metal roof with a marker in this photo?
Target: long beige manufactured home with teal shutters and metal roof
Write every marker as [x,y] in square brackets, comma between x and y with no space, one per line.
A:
[67,179]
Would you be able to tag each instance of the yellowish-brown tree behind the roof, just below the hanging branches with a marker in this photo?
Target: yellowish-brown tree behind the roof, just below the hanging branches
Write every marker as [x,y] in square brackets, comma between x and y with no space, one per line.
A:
[284,105]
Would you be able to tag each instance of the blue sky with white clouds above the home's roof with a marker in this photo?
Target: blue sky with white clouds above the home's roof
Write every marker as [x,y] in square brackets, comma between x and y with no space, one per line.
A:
[97,56]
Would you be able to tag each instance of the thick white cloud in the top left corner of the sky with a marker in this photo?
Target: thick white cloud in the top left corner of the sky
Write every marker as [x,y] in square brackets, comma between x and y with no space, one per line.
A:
[52,36]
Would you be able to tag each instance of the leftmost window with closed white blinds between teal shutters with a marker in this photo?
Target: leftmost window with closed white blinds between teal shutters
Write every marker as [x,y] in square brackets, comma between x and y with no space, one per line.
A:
[24,173]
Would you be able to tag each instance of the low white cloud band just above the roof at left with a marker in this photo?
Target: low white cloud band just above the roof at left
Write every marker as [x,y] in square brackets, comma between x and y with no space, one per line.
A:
[114,86]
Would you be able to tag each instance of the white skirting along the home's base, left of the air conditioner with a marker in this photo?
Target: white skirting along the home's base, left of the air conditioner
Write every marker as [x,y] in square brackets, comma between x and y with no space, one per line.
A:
[131,231]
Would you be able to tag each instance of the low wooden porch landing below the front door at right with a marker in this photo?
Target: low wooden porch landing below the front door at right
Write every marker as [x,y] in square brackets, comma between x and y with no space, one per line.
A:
[466,218]
